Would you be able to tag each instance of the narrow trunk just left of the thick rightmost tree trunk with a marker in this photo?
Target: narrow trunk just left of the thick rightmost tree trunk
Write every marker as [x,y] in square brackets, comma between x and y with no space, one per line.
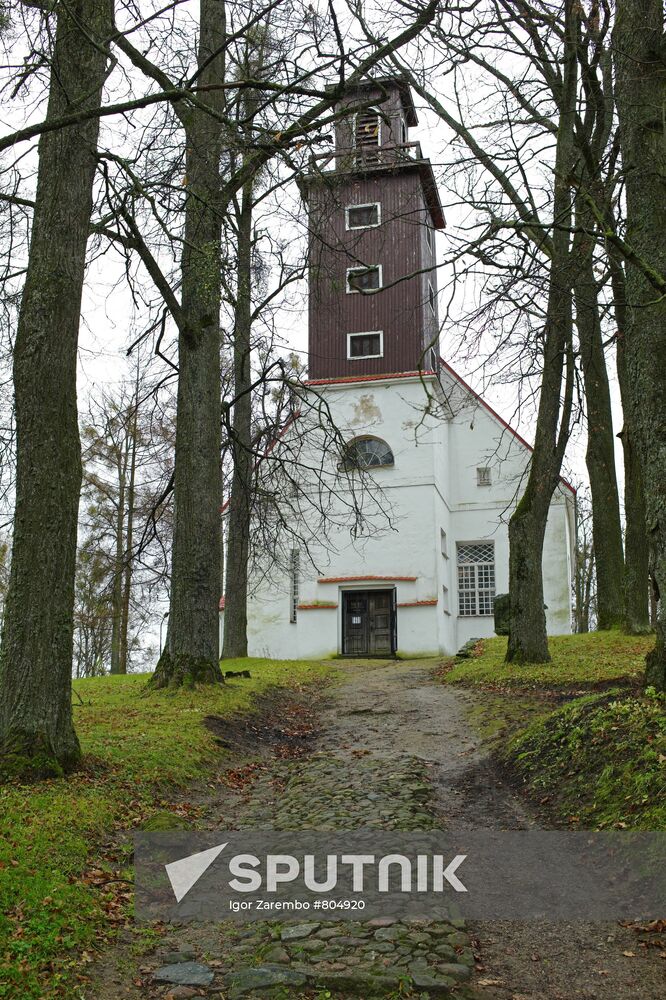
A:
[636,551]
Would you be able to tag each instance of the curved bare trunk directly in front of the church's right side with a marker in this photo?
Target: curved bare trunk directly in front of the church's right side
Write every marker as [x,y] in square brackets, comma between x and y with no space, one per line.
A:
[528,639]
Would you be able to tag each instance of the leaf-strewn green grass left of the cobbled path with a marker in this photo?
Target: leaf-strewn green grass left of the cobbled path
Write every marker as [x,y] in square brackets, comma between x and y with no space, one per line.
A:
[55,895]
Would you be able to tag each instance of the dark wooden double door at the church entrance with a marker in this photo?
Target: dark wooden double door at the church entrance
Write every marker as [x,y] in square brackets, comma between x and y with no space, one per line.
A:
[369,623]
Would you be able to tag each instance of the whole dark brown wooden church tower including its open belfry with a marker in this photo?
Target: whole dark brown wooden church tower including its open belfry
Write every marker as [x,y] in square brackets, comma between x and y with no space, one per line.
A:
[372,208]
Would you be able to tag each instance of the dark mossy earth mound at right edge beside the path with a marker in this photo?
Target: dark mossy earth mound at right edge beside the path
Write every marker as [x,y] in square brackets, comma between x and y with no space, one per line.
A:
[600,761]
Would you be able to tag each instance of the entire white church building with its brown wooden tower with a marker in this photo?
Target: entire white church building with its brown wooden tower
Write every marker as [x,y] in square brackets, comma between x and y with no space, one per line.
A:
[412,475]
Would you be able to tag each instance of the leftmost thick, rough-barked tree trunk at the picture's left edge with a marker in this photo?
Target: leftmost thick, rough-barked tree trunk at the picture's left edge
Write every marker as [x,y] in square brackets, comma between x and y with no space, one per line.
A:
[36,729]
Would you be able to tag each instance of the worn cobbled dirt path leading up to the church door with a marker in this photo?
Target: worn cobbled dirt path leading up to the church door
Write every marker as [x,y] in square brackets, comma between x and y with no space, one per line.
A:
[441,775]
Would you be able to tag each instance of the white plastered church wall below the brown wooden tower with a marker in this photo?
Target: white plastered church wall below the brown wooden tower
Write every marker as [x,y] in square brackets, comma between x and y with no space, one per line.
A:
[432,489]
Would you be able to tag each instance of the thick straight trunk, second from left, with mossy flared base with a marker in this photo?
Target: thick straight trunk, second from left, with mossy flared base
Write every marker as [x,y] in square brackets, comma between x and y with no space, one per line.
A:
[192,655]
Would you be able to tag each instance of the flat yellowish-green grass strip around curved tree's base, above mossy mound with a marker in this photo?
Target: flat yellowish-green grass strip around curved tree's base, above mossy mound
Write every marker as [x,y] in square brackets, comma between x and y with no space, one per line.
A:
[578,661]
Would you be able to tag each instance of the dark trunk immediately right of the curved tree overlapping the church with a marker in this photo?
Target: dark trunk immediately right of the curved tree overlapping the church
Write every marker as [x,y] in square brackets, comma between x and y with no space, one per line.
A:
[600,455]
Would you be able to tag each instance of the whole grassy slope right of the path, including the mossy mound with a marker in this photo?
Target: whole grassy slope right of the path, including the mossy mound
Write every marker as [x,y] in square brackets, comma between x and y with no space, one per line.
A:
[600,760]
